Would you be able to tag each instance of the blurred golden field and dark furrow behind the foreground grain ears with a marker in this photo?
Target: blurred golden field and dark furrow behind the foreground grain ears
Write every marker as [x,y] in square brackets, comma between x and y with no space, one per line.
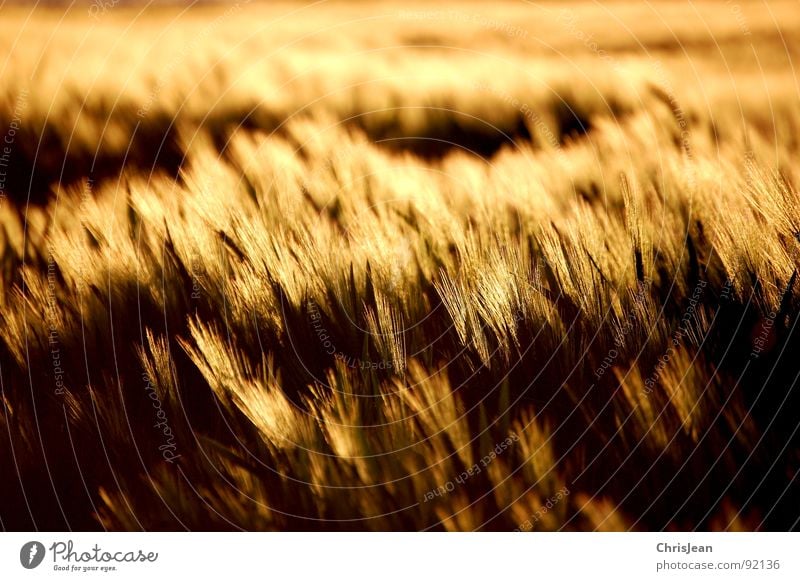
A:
[393,70]
